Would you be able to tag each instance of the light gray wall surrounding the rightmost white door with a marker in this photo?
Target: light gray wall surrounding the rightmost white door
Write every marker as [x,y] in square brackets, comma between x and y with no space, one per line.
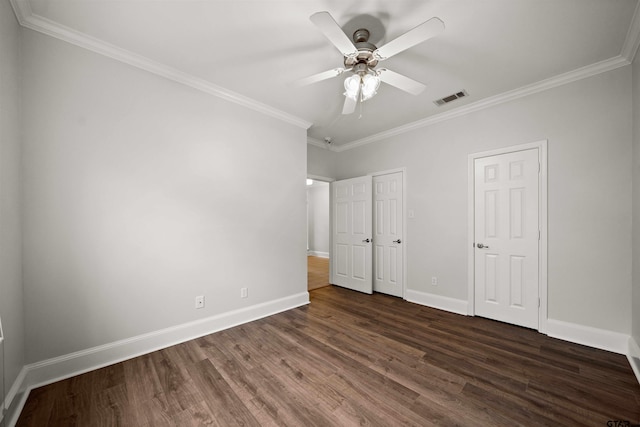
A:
[588,126]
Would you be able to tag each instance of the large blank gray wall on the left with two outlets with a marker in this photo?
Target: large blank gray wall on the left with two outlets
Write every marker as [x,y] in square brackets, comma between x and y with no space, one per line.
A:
[140,194]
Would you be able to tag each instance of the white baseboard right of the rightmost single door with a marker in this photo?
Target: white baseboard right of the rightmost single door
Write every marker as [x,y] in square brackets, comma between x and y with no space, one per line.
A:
[615,342]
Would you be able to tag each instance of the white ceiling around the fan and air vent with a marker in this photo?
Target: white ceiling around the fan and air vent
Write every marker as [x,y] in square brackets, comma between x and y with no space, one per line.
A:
[258,48]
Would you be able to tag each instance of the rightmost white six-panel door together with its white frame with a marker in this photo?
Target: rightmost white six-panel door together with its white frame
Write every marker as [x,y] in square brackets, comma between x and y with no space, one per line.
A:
[507,235]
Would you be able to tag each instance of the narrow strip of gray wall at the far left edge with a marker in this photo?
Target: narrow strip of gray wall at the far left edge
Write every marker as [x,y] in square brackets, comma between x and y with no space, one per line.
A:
[11,296]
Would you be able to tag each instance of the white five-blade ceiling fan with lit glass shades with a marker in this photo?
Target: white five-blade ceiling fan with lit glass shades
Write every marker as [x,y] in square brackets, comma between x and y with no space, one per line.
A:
[362,57]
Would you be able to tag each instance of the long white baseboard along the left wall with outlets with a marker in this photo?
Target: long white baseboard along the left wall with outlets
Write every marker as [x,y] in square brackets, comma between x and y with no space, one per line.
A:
[58,368]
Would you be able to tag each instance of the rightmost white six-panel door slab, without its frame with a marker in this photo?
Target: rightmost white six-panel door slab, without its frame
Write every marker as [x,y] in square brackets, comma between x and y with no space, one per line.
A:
[507,237]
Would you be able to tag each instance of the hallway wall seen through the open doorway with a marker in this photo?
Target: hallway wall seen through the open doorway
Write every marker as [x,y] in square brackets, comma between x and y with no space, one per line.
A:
[318,221]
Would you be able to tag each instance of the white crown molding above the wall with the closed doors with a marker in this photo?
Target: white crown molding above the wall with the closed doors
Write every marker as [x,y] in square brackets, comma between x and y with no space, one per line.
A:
[562,79]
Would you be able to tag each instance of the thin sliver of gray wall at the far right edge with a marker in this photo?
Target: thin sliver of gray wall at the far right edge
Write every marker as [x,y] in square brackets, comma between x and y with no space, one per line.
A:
[636,200]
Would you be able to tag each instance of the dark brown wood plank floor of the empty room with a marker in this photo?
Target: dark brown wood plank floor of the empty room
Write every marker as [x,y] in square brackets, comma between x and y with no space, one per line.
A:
[352,359]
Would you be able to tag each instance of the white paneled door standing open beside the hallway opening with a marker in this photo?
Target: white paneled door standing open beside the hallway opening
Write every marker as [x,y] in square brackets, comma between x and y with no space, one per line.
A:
[351,232]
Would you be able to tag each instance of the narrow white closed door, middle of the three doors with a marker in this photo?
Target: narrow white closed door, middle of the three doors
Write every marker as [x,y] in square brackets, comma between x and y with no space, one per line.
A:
[387,234]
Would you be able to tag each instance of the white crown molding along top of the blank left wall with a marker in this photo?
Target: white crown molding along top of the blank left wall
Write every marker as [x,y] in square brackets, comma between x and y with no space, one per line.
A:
[28,19]
